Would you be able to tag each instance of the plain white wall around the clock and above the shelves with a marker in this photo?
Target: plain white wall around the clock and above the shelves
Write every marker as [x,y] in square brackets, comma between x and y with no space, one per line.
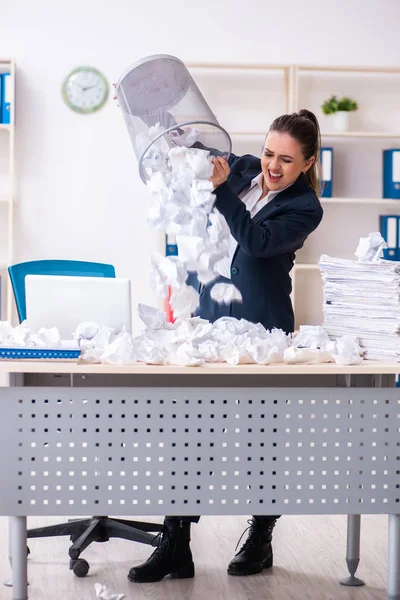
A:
[78,190]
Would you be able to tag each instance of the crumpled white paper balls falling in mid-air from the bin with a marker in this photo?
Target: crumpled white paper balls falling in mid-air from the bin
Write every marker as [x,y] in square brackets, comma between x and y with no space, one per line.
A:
[181,204]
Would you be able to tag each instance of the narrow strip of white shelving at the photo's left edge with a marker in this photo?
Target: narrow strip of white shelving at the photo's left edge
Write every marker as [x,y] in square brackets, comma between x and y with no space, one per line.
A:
[7,193]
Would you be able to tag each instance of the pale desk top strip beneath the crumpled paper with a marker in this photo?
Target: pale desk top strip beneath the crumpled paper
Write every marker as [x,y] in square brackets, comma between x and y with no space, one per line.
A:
[367,367]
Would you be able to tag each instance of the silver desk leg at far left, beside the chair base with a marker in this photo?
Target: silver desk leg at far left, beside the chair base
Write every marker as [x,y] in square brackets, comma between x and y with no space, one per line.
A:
[19,557]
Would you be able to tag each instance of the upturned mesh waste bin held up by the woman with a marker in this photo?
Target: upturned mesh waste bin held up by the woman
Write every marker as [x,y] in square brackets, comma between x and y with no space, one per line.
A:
[163,108]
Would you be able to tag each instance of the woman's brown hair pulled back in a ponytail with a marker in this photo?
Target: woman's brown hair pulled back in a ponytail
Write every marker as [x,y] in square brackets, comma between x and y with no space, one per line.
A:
[303,126]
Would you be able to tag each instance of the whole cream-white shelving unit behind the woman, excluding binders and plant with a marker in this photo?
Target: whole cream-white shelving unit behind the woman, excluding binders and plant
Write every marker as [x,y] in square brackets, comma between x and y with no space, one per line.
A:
[247,97]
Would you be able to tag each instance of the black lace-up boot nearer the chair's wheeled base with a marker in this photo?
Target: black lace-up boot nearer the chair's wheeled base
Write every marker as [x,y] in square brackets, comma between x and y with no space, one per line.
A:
[171,557]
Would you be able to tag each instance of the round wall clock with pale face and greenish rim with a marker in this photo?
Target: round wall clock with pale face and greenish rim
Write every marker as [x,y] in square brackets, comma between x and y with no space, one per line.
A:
[85,90]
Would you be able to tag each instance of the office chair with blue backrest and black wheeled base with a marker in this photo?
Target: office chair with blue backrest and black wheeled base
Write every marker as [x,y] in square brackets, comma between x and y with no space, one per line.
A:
[82,532]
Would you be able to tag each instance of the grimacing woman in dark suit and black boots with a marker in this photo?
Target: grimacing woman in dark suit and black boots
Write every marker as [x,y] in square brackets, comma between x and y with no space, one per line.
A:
[271,207]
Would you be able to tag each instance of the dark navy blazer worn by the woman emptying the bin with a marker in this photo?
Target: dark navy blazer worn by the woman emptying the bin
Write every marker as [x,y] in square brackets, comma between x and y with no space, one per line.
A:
[266,247]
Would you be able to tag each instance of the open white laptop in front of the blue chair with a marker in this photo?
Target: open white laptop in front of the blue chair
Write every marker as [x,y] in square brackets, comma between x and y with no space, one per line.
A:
[62,301]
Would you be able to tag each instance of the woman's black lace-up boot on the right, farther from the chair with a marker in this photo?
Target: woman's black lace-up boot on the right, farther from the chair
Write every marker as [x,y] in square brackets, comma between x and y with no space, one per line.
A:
[256,553]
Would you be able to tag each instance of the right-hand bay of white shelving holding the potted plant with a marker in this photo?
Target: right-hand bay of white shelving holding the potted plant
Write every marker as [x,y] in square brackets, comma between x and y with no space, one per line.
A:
[357,173]
